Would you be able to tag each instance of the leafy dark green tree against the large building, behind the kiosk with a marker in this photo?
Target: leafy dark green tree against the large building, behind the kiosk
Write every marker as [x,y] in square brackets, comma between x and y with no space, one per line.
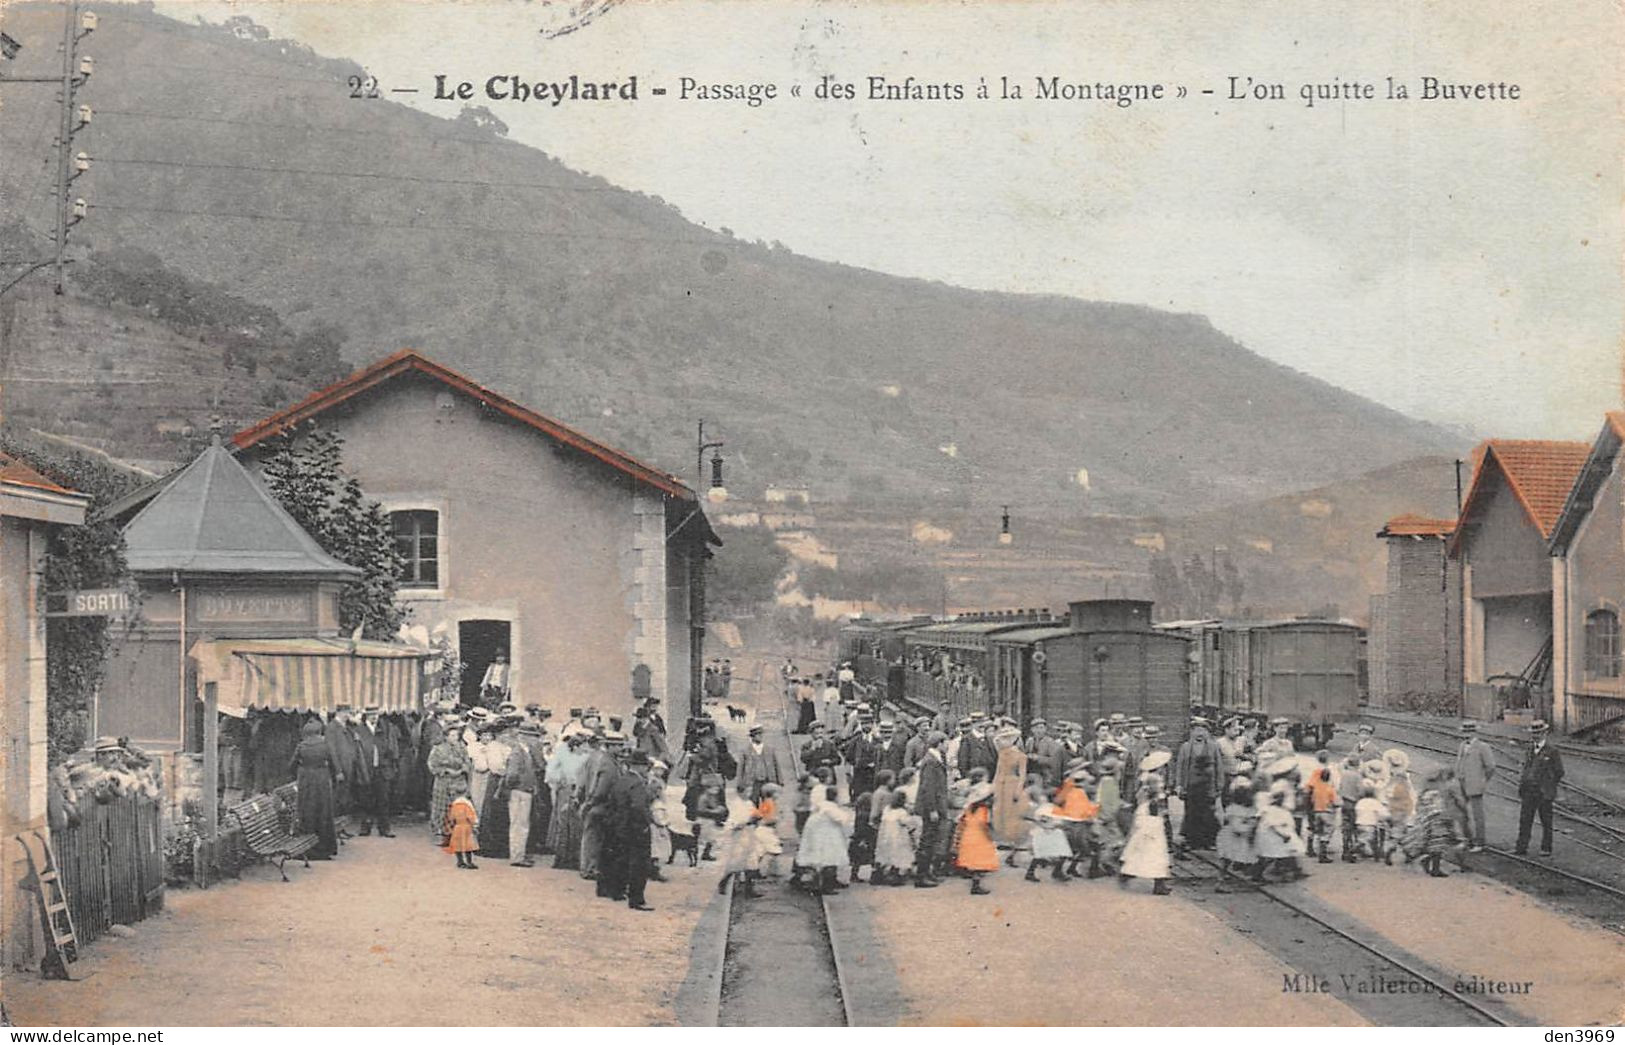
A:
[306,475]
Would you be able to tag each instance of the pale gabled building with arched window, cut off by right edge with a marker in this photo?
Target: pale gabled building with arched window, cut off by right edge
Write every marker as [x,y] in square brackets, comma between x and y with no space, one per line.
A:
[1588,584]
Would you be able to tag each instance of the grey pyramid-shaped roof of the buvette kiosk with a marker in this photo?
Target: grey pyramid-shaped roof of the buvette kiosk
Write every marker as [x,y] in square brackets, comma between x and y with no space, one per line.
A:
[215,518]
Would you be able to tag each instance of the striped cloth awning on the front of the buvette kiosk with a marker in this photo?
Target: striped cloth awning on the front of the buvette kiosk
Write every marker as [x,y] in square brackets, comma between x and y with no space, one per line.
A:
[314,675]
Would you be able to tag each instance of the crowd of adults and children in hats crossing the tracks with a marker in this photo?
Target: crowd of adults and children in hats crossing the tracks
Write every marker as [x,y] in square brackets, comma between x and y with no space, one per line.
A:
[904,800]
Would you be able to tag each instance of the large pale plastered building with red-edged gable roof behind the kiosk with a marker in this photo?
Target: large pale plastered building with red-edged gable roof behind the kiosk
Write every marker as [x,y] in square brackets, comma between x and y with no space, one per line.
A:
[522,536]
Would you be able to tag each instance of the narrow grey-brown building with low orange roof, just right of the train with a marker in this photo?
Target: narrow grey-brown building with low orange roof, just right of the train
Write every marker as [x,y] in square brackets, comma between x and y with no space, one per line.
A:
[1416,620]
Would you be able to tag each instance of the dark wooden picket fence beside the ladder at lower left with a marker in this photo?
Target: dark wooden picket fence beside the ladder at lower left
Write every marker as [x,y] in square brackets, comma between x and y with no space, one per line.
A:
[113,864]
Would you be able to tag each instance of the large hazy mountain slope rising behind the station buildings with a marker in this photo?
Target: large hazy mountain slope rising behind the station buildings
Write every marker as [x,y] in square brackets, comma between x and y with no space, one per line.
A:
[243,163]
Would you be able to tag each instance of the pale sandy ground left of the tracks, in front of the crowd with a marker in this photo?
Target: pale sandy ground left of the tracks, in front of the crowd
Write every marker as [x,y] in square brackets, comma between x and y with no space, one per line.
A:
[392,935]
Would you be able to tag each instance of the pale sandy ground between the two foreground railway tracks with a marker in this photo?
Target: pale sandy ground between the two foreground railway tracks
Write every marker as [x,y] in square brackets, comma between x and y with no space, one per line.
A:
[1085,953]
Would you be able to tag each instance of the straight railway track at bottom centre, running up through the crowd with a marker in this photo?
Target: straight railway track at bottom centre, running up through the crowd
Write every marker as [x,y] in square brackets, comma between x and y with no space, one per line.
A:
[782,961]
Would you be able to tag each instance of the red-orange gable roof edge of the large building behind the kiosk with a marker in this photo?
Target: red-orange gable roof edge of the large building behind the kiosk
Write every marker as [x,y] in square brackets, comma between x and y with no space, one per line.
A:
[404,362]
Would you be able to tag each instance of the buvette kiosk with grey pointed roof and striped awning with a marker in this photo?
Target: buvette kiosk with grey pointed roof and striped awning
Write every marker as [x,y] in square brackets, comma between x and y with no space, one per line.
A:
[238,609]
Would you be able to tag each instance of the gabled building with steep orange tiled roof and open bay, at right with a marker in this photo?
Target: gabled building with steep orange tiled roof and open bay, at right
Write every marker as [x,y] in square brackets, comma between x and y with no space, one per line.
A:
[1502,544]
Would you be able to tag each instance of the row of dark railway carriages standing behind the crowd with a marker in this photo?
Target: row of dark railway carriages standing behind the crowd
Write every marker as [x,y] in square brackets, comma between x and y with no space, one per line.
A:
[1107,656]
